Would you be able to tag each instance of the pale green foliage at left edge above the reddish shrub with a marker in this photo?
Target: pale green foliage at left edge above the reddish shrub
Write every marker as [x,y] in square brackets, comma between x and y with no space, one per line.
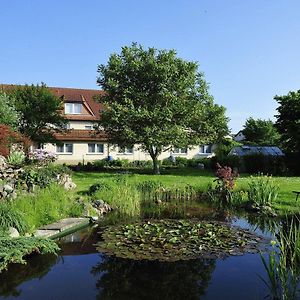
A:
[8,113]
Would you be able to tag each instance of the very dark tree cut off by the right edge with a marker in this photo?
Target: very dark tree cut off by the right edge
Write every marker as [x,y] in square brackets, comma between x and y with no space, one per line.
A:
[288,121]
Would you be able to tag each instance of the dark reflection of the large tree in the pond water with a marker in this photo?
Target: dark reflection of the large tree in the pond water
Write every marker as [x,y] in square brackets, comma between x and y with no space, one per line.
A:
[130,279]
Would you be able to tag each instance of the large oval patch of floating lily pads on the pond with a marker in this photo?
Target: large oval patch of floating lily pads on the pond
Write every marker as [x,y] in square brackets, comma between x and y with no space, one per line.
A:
[172,240]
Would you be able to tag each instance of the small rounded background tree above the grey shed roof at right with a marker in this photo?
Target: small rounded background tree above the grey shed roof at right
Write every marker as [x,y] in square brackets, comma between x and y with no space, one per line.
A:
[260,132]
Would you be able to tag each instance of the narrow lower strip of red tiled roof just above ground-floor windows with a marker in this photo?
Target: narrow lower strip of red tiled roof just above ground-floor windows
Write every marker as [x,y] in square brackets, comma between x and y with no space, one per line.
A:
[81,135]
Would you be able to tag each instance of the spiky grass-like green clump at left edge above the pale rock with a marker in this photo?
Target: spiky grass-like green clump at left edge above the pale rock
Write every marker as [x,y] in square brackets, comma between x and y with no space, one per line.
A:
[10,217]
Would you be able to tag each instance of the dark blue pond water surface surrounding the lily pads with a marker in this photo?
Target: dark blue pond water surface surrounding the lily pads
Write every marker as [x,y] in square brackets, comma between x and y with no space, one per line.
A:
[80,272]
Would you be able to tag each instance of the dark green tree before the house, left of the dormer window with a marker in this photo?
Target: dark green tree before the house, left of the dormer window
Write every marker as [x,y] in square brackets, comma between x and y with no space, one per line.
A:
[40,112]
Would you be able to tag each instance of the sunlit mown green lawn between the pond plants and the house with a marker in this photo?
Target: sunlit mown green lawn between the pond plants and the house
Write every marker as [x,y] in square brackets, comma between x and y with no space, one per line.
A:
[197,178]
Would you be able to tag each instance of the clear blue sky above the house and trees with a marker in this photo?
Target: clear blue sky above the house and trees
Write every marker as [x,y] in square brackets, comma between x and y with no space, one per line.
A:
[249,50]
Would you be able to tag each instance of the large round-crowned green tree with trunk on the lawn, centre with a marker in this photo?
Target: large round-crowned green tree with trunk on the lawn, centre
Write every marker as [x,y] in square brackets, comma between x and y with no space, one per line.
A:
[157,100]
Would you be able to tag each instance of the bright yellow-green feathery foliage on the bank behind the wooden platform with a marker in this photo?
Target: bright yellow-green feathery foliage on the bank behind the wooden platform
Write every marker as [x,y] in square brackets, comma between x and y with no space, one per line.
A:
[46,206]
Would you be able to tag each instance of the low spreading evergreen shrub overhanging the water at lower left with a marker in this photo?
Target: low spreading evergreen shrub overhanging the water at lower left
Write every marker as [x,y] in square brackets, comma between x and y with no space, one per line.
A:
[13,250]
